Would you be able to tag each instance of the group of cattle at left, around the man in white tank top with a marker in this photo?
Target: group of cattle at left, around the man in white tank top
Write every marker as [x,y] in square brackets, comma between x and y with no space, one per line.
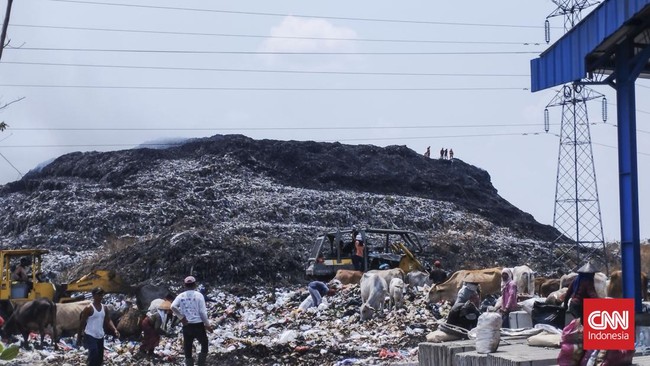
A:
[60,319]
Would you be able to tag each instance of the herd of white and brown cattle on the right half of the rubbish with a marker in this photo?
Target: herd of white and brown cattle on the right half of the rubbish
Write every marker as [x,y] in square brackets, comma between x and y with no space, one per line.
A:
[376,285]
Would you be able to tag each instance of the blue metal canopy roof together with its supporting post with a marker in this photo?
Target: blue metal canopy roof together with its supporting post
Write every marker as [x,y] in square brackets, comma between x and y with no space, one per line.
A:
[612,43]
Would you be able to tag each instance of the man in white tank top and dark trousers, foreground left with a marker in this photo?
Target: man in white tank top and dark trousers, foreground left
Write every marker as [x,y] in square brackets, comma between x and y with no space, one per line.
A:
[93,321]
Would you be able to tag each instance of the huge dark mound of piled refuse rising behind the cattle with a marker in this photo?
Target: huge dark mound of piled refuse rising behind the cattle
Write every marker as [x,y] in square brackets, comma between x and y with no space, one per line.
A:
[242,211]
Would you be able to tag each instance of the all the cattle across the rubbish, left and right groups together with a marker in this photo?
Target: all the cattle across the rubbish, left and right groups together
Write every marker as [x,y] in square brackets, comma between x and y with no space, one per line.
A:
[46,317]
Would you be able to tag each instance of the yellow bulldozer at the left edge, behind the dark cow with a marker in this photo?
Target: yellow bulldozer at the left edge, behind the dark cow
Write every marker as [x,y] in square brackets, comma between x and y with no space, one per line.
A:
[17,292]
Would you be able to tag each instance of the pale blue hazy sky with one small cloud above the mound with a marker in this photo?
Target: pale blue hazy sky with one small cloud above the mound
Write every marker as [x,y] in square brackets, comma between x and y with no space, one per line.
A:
[102,75]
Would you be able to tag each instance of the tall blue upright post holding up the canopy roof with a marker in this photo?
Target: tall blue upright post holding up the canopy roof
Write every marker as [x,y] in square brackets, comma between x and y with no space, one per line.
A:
[627,170]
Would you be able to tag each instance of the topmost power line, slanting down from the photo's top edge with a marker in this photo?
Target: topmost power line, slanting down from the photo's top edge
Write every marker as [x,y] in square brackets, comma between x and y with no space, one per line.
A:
[407,21]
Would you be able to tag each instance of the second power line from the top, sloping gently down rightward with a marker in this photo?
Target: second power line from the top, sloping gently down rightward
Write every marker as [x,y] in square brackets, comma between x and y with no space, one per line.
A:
[234,35]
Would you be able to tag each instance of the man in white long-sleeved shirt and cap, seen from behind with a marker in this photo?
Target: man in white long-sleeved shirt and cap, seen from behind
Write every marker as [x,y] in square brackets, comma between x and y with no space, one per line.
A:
[190,308]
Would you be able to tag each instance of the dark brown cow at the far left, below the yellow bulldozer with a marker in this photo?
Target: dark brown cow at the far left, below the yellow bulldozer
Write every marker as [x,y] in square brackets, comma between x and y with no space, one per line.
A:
[33,315]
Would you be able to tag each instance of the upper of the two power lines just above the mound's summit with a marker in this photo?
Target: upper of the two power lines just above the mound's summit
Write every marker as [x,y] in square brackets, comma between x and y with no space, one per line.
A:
[262,128]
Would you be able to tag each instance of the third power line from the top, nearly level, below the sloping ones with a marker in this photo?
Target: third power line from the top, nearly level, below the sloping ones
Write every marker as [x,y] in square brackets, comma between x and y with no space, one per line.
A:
[268,52]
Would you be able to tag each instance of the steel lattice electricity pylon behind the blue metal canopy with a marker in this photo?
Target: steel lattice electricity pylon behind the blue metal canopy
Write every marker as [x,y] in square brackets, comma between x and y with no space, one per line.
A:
[577,207]
